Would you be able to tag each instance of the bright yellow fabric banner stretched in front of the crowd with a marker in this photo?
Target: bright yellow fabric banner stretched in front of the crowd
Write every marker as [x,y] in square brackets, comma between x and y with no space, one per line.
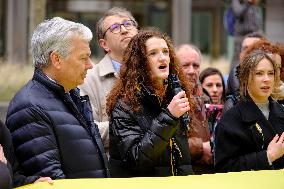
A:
[238,180]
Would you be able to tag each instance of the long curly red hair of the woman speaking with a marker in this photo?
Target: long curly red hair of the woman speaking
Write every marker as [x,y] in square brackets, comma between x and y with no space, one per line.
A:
[135,71]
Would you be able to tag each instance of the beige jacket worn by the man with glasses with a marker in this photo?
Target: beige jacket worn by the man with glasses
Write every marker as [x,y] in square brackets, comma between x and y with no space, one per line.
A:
[97,85]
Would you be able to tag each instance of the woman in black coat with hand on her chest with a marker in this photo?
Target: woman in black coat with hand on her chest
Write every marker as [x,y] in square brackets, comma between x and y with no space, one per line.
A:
[250,135]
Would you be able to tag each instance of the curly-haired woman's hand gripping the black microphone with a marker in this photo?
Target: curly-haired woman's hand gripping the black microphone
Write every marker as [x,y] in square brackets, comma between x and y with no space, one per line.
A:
[179,105]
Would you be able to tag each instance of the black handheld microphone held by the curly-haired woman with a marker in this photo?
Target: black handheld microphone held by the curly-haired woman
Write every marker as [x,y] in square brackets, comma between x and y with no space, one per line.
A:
[175,86]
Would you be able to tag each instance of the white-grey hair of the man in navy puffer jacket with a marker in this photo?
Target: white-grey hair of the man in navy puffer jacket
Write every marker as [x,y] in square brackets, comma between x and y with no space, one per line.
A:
[54,35]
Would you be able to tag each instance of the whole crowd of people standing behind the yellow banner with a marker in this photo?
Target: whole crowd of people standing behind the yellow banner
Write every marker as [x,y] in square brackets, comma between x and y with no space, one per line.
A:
[145,109]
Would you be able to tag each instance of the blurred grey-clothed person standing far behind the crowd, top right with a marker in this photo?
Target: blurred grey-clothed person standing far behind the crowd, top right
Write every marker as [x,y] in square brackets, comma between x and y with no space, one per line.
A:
[247,20]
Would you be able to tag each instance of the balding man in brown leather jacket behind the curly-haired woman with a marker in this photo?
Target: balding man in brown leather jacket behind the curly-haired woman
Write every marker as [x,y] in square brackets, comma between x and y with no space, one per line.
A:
[189,57]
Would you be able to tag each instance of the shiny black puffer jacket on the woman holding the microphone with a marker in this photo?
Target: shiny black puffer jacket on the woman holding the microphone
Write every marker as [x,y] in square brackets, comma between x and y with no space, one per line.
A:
[140,141]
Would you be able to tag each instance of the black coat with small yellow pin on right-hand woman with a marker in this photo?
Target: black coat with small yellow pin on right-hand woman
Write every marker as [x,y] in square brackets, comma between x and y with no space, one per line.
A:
[242,137]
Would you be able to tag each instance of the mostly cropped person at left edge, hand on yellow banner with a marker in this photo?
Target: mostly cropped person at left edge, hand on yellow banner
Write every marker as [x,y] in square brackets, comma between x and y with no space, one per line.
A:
[9,171]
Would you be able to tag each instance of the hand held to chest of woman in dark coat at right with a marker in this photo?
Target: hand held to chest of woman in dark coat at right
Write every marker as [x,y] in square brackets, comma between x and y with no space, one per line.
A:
[275,149]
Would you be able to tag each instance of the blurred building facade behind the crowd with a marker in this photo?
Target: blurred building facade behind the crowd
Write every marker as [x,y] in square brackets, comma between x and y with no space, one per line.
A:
[187,21]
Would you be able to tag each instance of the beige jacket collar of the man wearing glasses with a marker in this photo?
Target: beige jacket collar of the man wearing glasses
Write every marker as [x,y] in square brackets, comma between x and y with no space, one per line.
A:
[105,67]
